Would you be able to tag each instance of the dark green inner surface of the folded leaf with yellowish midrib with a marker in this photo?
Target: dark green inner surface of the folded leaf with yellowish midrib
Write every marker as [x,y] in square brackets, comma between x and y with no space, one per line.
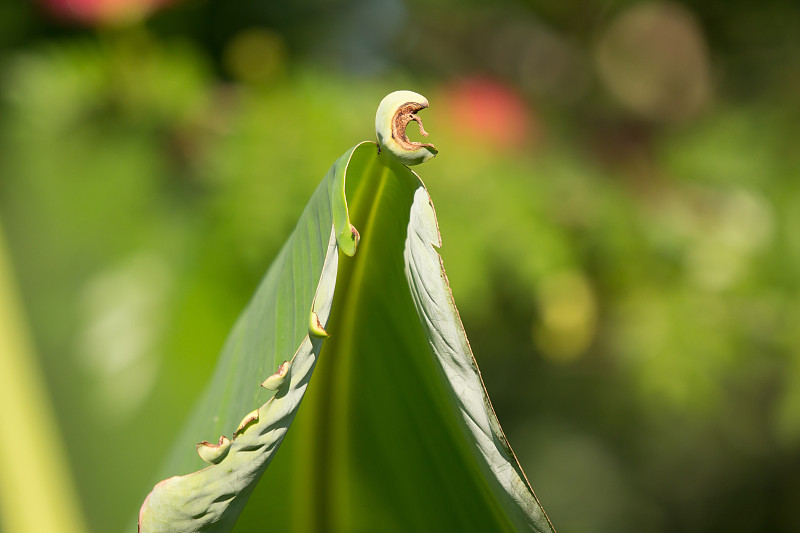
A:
[380,442]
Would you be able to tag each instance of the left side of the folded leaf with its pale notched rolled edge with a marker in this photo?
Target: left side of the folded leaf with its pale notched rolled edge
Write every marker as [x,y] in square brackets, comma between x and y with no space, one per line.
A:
[301,281]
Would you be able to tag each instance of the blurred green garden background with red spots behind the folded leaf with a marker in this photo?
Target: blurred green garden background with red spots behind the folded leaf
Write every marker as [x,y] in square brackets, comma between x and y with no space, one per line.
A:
[617,187]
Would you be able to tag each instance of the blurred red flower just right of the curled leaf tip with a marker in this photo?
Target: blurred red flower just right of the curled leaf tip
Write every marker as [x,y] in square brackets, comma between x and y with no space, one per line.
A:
[488,111]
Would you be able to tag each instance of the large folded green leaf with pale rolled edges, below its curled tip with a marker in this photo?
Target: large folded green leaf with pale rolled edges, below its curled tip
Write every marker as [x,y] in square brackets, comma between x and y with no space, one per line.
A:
[397,432]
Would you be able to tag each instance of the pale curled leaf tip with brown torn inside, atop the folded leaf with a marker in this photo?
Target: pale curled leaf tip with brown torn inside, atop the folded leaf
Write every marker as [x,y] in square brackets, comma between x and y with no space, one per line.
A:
[395,111]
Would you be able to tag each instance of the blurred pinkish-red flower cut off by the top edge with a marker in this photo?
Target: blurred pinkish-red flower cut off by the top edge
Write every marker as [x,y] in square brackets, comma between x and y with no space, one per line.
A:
[102,12]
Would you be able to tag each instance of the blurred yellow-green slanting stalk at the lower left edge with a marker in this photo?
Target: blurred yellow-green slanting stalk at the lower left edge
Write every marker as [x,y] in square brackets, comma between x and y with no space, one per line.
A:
[36,490]
